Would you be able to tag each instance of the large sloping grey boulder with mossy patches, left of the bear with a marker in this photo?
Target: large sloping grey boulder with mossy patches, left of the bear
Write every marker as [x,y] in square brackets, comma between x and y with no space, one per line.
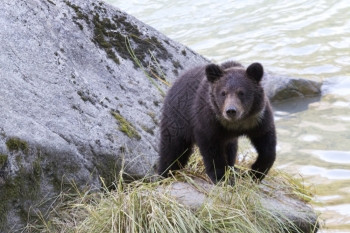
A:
[82,86]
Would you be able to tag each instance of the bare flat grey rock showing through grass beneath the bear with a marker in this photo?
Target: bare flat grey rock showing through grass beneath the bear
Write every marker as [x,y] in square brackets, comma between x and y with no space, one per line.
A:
[293,211]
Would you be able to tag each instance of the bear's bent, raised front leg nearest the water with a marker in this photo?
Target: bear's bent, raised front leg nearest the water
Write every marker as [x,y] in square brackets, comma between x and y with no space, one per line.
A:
[265,145]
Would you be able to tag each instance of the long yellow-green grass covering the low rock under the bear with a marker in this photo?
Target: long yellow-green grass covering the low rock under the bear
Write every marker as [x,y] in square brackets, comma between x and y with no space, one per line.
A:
[143,206]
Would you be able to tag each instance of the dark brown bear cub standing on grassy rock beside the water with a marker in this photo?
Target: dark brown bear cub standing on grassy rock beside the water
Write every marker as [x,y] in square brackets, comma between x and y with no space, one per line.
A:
[211,106]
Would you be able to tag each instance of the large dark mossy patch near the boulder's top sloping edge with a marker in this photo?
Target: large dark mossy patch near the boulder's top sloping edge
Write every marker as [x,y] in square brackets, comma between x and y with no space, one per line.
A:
[119,37]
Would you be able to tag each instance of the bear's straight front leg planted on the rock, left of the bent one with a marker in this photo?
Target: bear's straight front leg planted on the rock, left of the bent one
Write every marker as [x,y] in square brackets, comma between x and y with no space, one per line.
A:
[213,157]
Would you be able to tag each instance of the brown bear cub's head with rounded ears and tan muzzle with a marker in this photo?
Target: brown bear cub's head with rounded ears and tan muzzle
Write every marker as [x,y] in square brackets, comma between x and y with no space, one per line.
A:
[236,94]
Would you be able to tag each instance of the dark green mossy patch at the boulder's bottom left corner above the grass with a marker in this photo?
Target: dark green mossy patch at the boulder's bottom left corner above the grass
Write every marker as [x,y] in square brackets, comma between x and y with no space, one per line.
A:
[22,193]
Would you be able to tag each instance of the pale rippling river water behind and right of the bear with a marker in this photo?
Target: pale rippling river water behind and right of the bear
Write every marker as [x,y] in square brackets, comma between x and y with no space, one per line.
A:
[301,38]
